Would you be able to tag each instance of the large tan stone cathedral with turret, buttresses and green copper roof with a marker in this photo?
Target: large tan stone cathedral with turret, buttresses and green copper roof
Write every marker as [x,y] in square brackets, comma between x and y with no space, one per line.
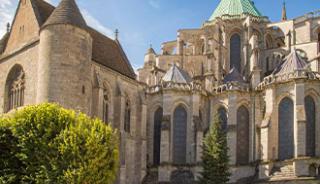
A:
[261,78]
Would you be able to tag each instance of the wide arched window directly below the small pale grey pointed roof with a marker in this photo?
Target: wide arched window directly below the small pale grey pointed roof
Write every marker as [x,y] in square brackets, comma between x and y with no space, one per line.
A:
[180,135]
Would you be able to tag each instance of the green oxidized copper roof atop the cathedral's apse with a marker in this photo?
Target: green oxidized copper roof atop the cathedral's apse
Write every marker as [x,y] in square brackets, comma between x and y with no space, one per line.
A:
[235,7]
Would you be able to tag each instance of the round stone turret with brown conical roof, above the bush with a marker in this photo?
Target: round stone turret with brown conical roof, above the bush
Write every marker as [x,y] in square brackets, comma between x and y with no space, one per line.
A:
[65,52]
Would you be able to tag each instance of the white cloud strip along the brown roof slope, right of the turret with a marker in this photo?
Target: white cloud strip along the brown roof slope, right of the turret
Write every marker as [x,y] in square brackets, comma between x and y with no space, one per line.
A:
[96,24]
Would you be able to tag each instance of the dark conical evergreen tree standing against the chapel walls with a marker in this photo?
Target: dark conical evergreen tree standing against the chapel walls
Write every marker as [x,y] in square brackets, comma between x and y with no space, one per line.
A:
[215,159]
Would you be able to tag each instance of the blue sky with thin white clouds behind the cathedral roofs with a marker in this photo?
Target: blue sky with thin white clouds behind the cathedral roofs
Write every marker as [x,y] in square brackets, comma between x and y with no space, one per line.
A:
[145,22]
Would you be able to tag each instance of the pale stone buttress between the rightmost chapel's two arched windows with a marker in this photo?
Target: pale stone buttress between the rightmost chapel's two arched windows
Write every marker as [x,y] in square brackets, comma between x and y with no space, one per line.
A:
[299,121]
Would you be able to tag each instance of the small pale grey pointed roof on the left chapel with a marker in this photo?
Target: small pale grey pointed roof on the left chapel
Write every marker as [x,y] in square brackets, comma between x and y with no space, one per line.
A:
[177,75]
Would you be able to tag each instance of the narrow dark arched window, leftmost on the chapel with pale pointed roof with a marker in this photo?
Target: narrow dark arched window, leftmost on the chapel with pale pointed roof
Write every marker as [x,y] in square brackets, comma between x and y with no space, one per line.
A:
[157,136]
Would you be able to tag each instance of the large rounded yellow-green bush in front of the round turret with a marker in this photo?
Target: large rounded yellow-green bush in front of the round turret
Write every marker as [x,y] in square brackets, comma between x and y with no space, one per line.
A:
[48,144]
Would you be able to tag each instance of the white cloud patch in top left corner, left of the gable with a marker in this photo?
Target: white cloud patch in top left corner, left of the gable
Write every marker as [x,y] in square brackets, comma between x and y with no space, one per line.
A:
[6,14]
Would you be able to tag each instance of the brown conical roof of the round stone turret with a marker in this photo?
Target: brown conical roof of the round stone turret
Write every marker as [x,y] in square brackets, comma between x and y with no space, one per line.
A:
[67,12]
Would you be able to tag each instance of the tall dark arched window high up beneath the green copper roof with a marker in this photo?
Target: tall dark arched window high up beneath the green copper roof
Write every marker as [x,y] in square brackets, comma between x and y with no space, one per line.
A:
[235,52]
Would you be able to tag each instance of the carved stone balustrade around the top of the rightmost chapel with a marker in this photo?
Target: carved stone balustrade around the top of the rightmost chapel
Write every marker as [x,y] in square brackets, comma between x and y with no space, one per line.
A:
[298,74]
